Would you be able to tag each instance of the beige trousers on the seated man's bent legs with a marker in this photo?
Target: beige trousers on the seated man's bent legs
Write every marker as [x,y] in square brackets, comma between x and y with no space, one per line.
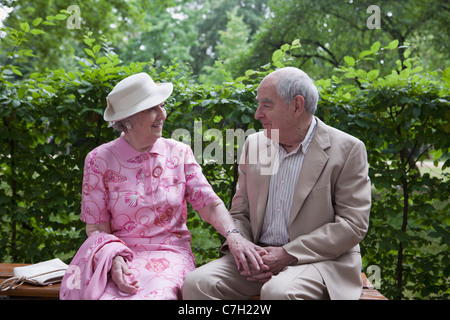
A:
[220,279]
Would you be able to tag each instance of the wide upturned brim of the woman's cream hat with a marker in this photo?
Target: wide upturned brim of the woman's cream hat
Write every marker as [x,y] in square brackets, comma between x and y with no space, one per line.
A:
[164,90]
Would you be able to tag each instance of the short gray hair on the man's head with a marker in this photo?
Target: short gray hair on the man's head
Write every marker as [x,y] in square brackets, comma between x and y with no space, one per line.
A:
[292,82]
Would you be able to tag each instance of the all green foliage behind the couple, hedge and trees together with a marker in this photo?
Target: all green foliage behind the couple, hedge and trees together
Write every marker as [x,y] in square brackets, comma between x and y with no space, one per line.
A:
[389,87]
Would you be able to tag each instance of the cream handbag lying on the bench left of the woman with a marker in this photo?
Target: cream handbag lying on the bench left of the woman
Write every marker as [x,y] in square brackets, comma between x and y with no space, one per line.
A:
[42,273]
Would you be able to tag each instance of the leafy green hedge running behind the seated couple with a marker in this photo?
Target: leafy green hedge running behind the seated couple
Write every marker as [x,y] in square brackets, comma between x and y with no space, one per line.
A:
[49,121]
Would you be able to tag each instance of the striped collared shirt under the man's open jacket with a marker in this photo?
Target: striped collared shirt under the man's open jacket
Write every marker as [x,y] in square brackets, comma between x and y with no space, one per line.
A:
[281,192]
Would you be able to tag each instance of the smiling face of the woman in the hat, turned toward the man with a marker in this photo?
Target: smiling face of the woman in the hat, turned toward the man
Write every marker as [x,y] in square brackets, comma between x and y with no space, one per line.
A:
[147,127]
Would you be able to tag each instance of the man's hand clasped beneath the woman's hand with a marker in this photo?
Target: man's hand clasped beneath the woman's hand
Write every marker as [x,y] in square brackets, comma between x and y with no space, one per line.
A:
[275,259]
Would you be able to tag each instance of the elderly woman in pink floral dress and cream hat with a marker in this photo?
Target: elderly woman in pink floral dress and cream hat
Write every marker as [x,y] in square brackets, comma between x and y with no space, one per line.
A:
[134,198]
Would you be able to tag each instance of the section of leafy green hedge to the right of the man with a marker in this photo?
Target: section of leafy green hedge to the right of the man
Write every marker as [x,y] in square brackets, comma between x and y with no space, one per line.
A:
[403,119]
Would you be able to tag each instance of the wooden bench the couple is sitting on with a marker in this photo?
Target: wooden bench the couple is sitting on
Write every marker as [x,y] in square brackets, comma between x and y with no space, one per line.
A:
[29,291]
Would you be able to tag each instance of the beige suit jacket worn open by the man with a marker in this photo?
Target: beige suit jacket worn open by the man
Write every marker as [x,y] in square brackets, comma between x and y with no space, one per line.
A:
[330,208]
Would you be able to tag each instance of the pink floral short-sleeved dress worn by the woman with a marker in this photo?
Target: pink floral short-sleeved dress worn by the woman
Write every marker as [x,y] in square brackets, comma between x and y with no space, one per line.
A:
[143,196]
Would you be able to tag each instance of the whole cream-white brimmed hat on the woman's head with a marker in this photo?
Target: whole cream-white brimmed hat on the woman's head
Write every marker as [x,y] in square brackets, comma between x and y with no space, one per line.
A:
[135,94]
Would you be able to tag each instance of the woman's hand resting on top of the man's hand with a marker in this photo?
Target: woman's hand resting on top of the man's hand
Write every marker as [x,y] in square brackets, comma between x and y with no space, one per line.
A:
[246,254]
